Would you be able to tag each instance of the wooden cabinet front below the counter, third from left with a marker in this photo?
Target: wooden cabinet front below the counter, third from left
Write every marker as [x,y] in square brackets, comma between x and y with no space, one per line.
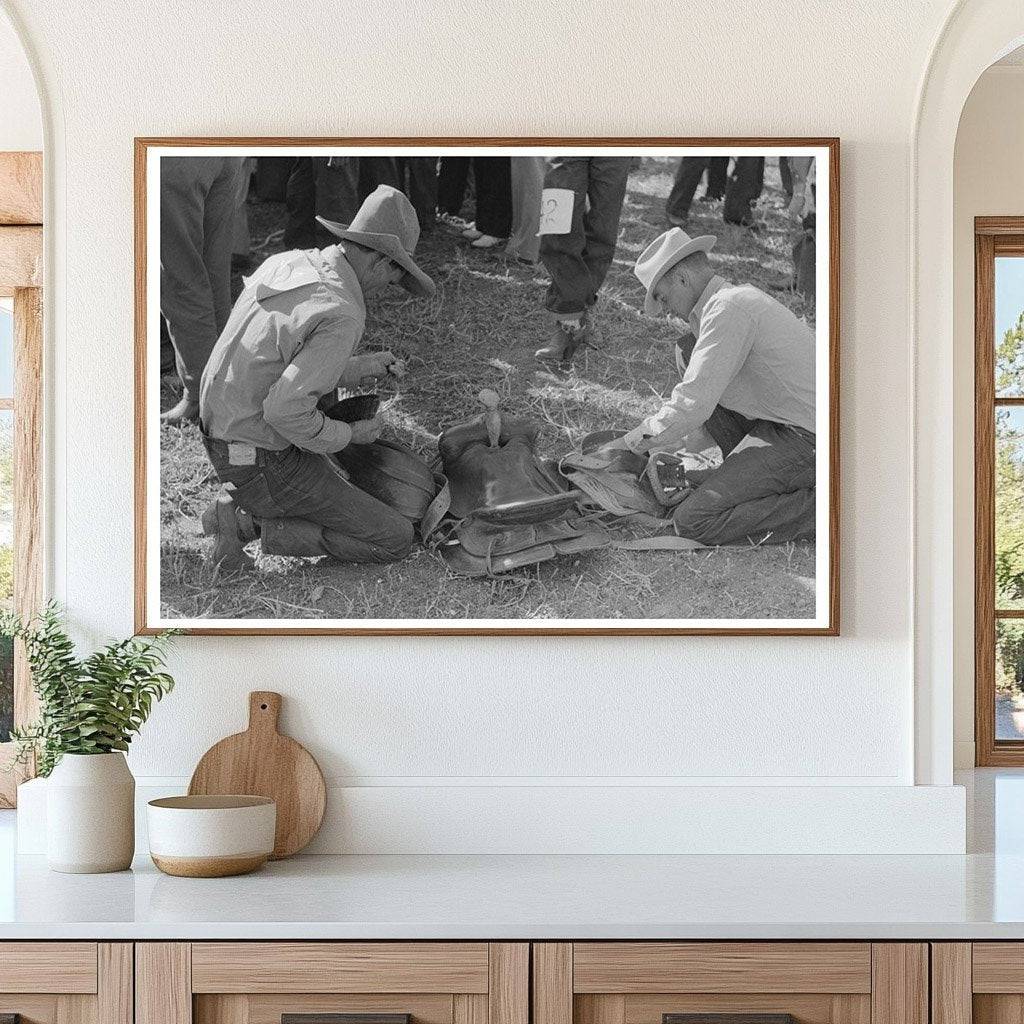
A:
[753,983]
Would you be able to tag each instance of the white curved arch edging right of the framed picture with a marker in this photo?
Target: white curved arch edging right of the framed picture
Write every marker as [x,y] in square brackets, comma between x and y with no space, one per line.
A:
[976,34]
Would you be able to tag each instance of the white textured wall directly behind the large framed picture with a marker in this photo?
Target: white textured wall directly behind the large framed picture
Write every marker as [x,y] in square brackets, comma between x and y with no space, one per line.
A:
[446,713]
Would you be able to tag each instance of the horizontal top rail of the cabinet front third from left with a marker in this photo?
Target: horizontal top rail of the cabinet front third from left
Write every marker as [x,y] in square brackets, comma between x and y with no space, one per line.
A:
[722,967]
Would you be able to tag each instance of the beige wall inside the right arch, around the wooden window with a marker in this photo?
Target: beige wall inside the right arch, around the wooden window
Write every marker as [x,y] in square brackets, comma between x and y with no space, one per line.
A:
[989,181]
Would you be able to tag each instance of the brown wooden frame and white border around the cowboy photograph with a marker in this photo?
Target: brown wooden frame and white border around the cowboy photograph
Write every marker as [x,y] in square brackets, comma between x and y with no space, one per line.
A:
[148,616]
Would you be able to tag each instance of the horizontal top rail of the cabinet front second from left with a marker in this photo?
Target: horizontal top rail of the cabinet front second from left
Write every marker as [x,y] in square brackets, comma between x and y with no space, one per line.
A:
[333,967]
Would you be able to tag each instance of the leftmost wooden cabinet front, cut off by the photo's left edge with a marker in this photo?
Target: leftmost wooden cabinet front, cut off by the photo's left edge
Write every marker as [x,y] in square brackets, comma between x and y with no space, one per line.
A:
[67,983]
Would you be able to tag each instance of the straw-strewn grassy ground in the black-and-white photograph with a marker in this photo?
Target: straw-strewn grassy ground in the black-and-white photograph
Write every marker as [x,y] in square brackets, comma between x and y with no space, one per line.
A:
[481,331]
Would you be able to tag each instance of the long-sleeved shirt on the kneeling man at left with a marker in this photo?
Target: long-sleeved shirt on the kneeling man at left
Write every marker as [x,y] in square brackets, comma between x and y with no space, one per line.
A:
[290,335]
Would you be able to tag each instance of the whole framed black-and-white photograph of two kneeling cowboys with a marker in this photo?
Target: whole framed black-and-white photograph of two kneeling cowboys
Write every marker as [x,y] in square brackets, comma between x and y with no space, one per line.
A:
[488,387]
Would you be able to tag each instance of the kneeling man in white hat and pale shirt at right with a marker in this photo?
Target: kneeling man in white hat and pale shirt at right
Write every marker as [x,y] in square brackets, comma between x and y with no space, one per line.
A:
[748,378]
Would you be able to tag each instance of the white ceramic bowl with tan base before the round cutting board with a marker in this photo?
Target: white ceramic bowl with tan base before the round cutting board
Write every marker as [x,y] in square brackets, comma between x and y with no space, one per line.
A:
[211,837]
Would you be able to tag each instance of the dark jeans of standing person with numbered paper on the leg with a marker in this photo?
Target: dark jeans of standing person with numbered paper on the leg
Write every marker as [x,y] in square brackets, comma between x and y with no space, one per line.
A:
[580,261]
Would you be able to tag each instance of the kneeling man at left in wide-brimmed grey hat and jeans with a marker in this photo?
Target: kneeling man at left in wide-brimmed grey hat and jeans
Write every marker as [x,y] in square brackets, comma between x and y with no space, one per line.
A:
[290,343]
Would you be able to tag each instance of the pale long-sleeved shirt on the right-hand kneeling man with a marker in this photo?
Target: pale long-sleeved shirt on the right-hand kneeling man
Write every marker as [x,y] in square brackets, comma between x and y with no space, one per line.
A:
[752,356]
